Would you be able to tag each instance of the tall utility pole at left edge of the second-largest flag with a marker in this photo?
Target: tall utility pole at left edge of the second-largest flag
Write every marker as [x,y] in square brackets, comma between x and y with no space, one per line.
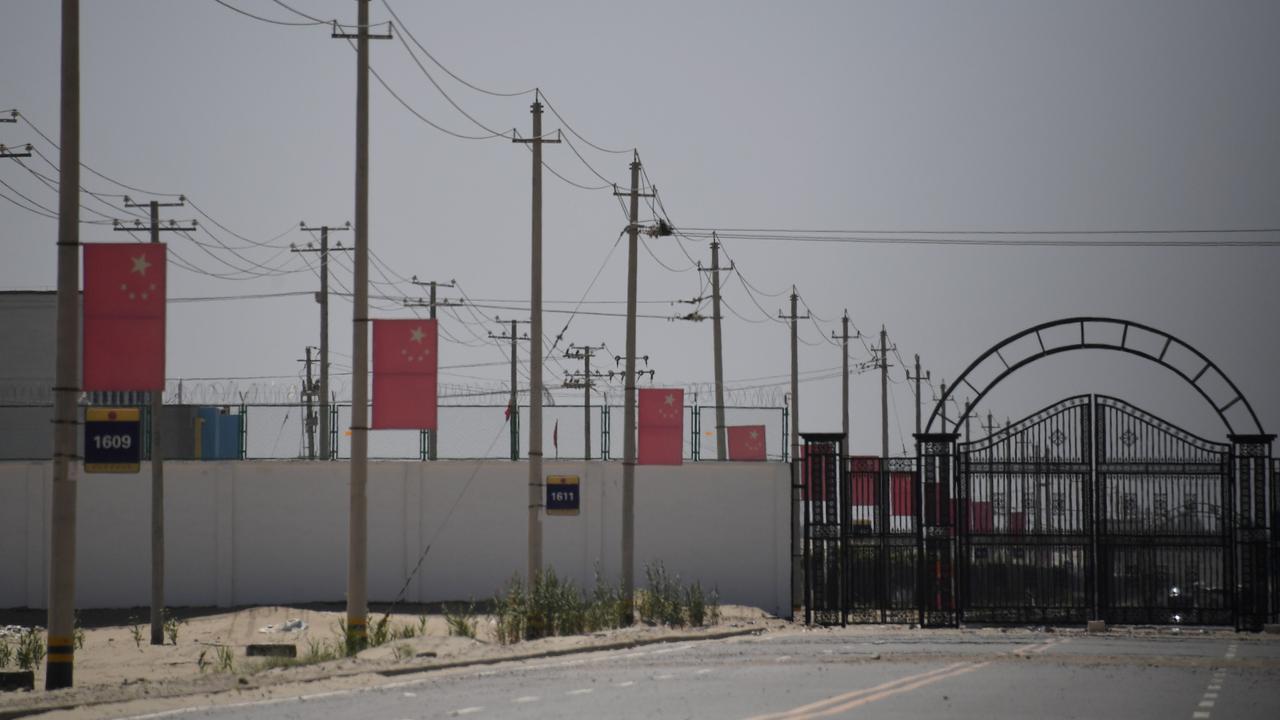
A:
[358,527]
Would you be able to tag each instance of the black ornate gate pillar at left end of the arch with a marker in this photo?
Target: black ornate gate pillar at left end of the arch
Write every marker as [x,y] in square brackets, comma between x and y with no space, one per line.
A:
[936,496]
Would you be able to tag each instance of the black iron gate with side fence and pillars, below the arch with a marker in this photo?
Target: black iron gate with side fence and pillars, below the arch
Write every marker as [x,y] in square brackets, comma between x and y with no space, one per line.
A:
[1090,509]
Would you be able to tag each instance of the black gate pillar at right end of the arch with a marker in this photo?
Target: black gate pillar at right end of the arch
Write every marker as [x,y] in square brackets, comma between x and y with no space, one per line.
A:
[1255,516]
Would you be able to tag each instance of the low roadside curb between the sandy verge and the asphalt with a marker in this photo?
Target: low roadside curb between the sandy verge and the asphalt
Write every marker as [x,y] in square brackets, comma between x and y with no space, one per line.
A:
[26,712]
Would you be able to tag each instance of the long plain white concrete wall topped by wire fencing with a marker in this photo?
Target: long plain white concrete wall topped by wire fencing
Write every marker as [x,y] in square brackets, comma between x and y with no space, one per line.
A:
[276,532]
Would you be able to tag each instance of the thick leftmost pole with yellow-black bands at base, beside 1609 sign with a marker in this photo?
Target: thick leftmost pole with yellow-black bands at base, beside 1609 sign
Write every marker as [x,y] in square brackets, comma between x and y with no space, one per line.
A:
[62,563]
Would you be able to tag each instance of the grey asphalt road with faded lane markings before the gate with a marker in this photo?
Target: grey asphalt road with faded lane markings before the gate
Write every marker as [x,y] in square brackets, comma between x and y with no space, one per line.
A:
[843,675]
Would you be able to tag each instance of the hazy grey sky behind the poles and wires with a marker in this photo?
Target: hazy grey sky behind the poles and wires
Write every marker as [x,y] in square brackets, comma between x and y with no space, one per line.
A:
[831,116]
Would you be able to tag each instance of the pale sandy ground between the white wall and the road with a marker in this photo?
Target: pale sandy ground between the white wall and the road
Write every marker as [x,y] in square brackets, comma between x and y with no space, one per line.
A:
[113,668]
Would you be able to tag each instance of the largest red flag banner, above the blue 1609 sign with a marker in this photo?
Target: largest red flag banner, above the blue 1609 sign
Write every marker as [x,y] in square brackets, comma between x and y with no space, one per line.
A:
[125,312]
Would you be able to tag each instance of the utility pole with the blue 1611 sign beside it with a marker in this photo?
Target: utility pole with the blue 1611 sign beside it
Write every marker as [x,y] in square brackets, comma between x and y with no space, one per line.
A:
[536,353]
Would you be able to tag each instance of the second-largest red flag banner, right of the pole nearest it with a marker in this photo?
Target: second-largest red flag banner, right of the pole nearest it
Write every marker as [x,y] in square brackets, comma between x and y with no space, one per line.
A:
[405,370]
